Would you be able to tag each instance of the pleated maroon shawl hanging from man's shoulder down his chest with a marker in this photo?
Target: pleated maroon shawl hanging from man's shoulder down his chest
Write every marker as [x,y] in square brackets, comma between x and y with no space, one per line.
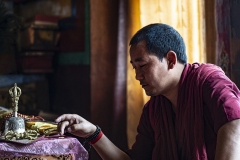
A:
[189,112]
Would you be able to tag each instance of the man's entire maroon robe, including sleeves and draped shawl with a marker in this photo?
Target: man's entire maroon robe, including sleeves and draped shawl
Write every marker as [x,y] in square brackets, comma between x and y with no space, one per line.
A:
[204,105]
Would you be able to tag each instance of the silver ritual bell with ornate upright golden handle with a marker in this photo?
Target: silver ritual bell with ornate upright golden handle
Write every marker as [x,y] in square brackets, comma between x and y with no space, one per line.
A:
[15,124]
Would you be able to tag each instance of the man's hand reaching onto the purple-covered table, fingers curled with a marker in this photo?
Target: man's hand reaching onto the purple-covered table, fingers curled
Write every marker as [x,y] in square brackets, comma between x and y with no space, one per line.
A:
[75,125]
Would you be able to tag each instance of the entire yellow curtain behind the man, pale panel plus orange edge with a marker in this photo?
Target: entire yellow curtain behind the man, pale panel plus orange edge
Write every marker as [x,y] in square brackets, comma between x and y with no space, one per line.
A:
[188,18]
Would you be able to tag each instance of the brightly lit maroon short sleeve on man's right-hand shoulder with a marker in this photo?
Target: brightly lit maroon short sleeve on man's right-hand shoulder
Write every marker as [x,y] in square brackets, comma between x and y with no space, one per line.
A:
[221,96]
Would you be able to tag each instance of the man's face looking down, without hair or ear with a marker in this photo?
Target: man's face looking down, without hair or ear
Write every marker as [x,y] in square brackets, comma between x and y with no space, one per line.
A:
[150,71]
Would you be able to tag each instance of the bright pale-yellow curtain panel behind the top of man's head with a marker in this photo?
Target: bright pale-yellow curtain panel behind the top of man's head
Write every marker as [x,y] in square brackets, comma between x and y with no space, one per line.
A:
[187,17]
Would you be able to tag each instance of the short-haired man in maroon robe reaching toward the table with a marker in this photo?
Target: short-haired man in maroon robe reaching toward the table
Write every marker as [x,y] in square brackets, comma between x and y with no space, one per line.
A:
[193,112]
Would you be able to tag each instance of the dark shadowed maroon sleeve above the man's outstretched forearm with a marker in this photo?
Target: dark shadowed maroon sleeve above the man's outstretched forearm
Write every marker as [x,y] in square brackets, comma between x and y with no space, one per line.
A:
[143,146]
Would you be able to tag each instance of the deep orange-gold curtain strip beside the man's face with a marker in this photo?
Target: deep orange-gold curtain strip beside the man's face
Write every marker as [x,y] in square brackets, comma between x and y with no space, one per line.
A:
[135,94]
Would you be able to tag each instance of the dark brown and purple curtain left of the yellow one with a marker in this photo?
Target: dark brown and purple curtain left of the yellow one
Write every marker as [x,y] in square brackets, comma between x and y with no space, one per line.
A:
[108,41]
